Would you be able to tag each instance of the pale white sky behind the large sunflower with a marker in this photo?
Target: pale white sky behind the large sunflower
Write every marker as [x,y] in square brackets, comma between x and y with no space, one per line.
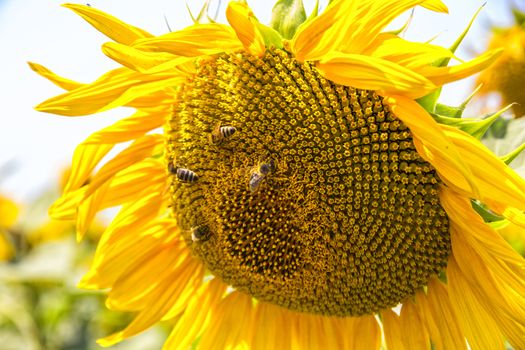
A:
[35,147]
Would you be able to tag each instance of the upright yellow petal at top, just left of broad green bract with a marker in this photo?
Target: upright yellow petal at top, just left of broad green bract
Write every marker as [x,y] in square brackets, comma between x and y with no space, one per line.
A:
[243,21]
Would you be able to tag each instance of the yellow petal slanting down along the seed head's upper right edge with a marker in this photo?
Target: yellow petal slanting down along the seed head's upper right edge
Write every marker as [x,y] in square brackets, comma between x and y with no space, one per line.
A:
[432,144]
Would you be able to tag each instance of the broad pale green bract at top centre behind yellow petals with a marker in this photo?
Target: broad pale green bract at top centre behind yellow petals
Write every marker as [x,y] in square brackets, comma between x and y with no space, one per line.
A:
[287,16]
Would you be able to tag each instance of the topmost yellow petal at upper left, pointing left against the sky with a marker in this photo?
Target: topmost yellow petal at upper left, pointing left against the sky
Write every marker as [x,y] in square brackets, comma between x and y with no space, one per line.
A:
[108,25]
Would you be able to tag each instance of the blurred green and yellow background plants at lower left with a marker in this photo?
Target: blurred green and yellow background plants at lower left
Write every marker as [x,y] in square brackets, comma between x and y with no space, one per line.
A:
[40,305]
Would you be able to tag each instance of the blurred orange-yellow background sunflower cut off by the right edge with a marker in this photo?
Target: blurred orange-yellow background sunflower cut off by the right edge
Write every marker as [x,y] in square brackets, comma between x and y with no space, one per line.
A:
[506,76]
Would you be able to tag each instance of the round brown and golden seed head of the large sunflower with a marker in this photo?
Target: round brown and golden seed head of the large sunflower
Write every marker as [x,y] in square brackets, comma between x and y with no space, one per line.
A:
[348,223]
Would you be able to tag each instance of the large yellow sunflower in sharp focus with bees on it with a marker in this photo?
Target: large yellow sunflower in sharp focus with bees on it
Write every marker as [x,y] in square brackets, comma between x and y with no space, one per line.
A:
[298,192]
